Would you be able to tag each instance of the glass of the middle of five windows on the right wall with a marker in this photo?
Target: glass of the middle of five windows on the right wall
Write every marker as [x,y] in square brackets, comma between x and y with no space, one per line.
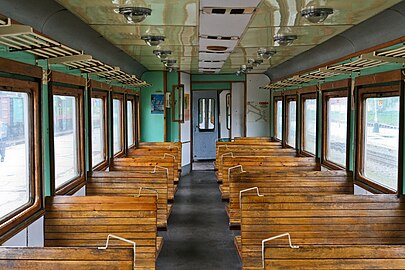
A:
[310,125]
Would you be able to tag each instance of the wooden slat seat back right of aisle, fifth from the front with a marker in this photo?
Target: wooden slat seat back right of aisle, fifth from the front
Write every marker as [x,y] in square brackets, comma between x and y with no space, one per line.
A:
[252,152]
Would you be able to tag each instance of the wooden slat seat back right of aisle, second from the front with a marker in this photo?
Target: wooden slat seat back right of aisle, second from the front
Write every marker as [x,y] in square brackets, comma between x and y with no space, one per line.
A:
[320,220]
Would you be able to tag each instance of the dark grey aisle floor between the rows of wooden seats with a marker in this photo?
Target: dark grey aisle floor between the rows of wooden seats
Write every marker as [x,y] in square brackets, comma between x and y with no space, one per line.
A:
[198,236]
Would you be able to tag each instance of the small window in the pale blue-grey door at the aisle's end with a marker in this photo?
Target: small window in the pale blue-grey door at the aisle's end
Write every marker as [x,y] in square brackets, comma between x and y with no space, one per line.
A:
[206,114]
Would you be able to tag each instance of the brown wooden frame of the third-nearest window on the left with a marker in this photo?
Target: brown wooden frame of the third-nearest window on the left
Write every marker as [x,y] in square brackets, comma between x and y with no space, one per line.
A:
[103,164]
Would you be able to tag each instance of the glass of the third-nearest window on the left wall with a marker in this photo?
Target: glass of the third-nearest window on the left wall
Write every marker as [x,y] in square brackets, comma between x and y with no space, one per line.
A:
[97,130]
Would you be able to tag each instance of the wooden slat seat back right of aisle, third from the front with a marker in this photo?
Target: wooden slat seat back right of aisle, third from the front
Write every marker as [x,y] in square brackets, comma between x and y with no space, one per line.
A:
[285,183]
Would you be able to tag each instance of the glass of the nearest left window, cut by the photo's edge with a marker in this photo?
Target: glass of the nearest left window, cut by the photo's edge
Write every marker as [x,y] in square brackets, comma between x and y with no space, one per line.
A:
[15,149]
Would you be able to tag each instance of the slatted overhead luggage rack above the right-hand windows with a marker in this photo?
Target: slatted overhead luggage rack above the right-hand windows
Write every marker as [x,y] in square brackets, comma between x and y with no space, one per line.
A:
[365,61]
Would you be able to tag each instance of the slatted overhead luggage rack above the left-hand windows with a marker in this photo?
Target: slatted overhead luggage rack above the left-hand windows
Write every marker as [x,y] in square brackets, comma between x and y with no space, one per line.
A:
[22,38]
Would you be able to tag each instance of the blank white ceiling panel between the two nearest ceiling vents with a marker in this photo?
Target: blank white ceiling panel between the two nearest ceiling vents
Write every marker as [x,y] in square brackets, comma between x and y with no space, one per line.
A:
[225,25]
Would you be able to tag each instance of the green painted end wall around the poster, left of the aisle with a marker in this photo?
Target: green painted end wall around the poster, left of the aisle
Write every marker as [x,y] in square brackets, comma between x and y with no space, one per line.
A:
[152,125]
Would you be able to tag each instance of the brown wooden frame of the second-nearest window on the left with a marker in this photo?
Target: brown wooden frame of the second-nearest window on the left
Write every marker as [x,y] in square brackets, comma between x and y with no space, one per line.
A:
[78,182]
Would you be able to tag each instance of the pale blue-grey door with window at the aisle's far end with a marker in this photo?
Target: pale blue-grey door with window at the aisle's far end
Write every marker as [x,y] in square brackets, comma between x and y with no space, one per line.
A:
[205,124]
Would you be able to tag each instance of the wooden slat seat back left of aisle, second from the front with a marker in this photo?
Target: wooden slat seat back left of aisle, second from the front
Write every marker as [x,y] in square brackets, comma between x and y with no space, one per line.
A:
[86,221]
